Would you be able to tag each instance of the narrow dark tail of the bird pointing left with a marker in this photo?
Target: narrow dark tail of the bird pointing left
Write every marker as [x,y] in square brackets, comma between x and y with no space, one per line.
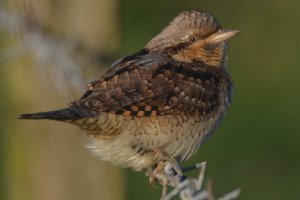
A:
[71,113]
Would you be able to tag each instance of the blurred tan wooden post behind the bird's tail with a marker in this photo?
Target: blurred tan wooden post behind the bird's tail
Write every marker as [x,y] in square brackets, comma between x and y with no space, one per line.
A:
[47,160]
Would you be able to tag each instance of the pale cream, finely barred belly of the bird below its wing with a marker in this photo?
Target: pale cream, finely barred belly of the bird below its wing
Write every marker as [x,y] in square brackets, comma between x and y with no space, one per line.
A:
[142,141]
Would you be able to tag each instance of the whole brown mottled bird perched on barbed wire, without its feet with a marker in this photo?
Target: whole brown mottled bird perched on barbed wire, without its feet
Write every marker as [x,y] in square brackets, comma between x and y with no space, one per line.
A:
[160,102]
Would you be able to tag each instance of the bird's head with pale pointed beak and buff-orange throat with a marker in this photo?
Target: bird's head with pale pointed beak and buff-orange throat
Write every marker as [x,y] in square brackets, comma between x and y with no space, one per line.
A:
[193,37]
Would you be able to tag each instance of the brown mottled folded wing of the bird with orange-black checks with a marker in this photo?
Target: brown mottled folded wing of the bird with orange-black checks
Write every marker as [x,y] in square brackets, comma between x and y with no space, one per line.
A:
[151,85]
